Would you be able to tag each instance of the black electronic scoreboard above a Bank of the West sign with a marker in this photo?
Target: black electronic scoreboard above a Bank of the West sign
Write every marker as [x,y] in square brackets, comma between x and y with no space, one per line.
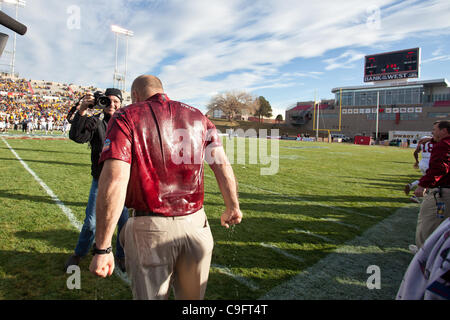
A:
[394,65]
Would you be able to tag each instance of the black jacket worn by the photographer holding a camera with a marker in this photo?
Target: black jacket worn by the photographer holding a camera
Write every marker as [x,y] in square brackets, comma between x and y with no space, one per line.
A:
[93,130]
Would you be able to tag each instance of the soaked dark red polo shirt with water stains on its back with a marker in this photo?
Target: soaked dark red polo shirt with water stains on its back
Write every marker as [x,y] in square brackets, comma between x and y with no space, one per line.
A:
[165,142]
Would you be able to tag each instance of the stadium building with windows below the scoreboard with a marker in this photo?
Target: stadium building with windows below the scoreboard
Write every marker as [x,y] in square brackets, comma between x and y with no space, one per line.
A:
[404,107]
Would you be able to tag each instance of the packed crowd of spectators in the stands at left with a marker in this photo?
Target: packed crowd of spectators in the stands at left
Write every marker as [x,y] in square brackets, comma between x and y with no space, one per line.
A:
[30,105]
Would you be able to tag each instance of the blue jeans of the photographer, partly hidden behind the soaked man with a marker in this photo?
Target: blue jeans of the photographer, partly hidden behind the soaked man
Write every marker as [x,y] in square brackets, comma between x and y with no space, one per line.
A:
[87,234]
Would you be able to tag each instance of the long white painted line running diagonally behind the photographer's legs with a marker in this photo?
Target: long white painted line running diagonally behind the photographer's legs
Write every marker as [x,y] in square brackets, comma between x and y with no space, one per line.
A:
[73,220]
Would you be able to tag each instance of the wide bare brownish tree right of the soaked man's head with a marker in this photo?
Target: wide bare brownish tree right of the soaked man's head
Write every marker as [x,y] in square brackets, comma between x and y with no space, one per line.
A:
[233,103]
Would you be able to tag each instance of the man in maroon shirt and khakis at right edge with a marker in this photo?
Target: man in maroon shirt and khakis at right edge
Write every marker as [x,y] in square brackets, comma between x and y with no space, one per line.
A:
[434,186]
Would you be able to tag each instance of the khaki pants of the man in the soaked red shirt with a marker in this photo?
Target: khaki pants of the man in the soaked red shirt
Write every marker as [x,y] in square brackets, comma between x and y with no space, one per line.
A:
[165,251]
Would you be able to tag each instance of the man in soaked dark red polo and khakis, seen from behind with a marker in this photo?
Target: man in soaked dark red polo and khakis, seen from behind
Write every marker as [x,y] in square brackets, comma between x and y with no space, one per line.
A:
[154,156]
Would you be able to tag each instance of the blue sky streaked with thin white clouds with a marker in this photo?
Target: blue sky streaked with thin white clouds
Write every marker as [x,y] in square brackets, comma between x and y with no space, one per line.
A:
[283,50]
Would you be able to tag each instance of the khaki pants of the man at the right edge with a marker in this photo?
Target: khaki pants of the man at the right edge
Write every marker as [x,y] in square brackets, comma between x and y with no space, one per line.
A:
[428,220]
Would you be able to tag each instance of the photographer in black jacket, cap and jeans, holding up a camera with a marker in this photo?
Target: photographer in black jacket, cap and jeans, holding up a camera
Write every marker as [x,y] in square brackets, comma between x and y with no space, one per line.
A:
[93,130]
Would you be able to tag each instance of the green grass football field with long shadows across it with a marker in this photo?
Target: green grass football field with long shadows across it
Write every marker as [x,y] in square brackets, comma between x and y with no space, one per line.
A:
[323,197]
